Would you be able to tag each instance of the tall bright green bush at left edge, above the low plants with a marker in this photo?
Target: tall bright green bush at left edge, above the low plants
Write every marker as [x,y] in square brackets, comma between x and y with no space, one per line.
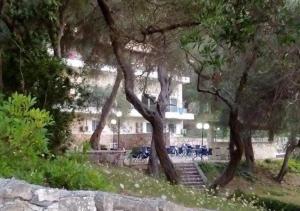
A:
[22,127]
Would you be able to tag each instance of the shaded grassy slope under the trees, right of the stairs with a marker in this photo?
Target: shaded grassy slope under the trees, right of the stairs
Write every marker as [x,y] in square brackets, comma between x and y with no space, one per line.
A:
[261,182]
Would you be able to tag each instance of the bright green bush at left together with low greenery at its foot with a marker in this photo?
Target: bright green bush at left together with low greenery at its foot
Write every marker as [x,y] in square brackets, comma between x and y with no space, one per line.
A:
[24,153]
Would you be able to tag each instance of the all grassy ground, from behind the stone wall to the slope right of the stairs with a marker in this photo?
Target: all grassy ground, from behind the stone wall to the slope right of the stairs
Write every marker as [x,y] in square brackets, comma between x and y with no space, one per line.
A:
[75,172]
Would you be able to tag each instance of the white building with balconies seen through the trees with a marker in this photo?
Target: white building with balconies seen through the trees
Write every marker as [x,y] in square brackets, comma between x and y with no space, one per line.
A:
[86,119]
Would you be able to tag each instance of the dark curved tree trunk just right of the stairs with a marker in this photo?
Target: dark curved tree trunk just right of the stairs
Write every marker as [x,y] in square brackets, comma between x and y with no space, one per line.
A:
[235,151]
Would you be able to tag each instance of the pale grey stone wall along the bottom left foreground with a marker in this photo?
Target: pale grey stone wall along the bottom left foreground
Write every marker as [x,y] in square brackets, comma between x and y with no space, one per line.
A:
[17,195]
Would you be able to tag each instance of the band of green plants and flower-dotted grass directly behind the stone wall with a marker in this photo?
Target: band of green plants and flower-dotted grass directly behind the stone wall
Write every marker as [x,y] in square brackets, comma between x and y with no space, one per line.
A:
[74,172]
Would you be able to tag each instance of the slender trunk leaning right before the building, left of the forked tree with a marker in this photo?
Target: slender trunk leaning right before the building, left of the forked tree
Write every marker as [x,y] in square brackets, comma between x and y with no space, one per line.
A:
[95,138]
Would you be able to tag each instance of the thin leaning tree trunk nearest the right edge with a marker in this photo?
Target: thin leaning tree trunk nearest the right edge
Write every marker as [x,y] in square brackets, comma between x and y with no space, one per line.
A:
[291,146]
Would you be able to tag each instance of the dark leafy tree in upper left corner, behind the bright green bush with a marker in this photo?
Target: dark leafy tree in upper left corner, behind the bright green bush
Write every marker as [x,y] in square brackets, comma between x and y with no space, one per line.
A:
[27,66]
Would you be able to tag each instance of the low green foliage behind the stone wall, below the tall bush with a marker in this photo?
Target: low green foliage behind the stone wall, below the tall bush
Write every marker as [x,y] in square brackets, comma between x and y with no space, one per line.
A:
[69,171]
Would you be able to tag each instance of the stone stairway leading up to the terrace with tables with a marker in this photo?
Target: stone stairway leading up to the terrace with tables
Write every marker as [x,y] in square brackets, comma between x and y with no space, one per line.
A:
[189,175]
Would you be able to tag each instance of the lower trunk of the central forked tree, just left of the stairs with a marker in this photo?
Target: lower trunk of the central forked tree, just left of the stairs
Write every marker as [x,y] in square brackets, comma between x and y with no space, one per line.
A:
[160,146]
